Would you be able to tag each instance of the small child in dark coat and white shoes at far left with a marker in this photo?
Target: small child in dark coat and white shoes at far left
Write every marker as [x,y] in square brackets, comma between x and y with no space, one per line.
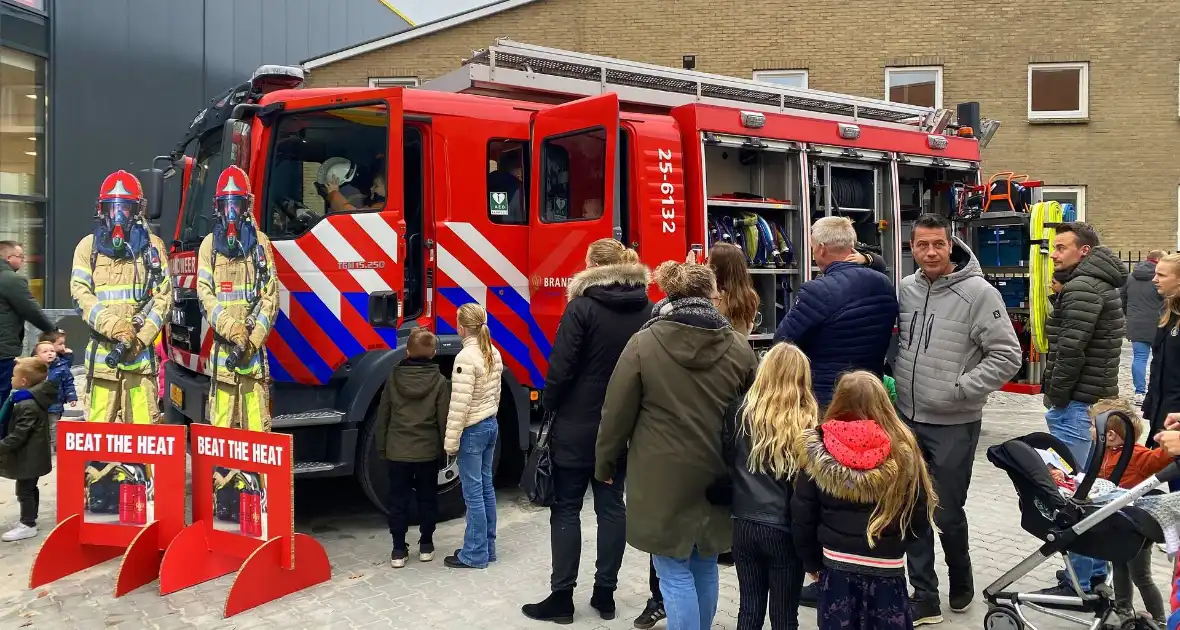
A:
[25,455]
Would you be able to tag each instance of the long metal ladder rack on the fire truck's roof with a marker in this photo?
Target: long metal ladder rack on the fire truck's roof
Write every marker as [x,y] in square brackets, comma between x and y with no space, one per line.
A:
[509,68]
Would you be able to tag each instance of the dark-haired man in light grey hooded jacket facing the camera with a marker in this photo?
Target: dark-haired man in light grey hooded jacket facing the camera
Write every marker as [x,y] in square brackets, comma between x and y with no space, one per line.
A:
[956,347]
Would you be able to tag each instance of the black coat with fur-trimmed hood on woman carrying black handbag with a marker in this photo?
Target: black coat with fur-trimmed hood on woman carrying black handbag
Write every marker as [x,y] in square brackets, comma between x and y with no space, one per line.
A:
[607,306]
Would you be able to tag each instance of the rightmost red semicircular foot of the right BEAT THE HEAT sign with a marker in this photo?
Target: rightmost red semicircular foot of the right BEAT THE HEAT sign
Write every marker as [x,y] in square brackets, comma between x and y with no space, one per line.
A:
[263,577]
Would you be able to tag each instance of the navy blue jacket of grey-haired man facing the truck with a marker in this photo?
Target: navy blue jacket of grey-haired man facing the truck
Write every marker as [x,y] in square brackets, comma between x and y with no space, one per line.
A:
[842,321]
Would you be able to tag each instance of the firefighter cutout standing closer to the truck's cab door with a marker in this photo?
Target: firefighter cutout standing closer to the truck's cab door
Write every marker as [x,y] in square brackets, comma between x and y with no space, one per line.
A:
[240,299]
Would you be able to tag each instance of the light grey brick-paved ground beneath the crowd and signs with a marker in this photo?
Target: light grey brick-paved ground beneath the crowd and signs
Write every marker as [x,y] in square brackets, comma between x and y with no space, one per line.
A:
[365,593]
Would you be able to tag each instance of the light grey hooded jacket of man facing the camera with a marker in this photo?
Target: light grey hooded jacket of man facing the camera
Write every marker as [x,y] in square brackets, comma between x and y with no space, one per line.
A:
[956,344]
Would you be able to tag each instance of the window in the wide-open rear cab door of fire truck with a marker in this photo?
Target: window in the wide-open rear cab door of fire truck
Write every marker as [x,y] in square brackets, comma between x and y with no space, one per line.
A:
[574,168]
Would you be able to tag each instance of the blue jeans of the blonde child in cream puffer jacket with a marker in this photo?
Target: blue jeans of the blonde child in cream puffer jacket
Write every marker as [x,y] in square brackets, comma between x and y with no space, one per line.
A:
[477,445]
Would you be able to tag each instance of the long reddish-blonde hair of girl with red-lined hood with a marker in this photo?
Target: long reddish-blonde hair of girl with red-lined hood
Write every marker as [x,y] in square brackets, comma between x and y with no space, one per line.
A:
[861,396]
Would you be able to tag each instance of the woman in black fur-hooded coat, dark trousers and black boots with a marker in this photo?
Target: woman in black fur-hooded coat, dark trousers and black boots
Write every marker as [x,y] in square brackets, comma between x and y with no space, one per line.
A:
[608,303]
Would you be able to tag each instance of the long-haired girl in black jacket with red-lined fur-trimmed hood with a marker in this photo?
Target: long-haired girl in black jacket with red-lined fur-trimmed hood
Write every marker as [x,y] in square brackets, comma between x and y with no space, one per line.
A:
[863,495]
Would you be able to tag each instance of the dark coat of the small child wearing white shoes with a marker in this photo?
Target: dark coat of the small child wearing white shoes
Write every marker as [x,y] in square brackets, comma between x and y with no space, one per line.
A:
[25,450]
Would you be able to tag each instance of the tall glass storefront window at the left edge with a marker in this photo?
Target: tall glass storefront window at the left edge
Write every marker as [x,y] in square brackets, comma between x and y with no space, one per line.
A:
[24,104]
